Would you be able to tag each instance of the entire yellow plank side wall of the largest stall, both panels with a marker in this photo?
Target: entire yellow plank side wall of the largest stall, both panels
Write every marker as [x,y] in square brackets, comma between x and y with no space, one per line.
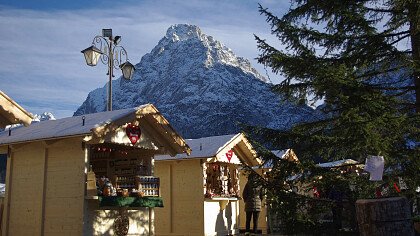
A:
[45,192]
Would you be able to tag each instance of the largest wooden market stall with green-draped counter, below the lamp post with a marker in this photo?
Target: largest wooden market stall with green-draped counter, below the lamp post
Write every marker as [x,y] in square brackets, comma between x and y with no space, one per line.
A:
[86,175]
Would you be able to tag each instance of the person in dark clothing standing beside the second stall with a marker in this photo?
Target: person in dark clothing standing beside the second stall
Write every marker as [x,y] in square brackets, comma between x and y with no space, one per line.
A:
[252,196]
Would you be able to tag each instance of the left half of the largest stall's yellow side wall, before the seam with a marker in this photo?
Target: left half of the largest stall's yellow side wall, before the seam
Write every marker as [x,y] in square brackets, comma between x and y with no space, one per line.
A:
[26,185]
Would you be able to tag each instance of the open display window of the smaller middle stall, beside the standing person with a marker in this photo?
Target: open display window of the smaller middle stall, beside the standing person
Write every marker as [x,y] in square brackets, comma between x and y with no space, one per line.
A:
[221,180]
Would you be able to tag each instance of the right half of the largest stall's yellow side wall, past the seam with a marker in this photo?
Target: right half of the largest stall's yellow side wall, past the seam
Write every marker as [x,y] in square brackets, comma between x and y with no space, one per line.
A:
[65,185]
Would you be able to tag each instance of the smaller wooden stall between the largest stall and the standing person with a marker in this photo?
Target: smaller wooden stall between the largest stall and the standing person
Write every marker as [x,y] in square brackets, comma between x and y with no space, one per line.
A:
[202,192]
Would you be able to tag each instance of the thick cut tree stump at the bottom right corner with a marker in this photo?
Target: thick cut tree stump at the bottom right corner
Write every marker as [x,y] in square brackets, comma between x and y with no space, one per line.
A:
[384,217]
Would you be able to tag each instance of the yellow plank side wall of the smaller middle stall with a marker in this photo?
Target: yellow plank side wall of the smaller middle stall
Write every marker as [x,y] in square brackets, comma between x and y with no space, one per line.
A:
[182,193]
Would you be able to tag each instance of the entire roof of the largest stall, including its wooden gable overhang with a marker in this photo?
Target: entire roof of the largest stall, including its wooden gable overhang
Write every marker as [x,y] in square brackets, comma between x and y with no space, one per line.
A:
[98,125]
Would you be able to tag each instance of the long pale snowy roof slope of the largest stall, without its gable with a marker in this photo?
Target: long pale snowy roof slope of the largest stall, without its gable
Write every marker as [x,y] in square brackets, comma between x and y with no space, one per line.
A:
[71,126]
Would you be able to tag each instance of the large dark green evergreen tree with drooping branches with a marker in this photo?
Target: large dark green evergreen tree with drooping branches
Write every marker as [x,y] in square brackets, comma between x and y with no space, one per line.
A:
[362,58]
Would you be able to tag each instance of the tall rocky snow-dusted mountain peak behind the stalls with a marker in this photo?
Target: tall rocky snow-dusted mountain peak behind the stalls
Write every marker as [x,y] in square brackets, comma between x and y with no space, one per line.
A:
[200,86]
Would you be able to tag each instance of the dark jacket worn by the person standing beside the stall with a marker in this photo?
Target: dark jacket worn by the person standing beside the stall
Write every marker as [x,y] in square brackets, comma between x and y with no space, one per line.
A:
[252,195]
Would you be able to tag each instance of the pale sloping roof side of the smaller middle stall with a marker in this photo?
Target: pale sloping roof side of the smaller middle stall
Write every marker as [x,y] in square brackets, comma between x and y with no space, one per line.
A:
[202,147]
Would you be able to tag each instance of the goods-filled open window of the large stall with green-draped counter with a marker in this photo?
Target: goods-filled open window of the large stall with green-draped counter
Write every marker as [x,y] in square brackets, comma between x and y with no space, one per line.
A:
[119,170]
